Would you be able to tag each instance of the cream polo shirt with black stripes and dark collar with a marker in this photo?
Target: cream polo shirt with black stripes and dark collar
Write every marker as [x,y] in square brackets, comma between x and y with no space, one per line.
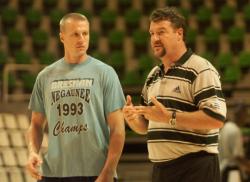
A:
[191,84]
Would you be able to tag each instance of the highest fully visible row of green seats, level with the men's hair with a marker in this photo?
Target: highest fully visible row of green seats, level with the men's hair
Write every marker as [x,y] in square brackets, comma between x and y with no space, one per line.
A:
[133,18]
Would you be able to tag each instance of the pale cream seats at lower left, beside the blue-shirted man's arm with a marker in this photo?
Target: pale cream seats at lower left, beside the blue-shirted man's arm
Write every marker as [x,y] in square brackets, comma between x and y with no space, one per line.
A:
[13,148]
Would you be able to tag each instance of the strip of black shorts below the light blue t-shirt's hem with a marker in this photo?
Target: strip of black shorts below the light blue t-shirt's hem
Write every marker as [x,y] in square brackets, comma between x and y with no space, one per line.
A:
[70,179]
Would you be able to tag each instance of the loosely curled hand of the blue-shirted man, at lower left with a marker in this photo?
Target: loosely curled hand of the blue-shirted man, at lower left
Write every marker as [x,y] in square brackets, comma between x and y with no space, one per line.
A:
[34,162]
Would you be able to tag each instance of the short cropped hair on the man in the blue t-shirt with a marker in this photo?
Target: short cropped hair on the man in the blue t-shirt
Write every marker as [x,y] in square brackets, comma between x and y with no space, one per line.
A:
[71,16]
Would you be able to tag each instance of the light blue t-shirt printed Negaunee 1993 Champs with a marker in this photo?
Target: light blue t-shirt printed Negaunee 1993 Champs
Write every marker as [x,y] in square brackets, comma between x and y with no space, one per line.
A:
[76,100]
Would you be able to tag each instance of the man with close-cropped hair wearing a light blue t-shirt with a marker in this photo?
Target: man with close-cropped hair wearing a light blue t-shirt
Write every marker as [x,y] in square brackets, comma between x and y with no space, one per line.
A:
[80,98]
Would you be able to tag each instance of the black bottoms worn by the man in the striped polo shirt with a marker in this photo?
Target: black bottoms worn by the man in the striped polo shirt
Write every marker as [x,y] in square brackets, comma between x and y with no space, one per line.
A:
[194,167]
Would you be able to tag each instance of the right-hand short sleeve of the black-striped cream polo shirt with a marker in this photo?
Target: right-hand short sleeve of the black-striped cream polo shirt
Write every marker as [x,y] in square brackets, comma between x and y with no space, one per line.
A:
[208,95]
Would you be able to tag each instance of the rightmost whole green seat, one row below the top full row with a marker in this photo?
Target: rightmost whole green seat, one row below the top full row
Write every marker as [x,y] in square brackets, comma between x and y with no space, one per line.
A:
[236,38]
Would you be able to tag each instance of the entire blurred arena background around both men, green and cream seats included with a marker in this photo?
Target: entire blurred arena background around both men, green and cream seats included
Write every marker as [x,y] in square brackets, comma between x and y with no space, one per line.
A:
[218,30]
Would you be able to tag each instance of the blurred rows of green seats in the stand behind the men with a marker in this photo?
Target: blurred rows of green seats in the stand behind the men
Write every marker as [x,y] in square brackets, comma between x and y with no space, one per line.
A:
[127,51]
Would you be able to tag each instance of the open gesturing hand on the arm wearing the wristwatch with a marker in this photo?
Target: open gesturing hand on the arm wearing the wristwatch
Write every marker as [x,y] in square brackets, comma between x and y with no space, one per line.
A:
[157,112]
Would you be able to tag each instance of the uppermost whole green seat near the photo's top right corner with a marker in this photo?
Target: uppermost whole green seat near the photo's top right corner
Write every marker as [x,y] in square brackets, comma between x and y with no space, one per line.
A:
[227,15]
